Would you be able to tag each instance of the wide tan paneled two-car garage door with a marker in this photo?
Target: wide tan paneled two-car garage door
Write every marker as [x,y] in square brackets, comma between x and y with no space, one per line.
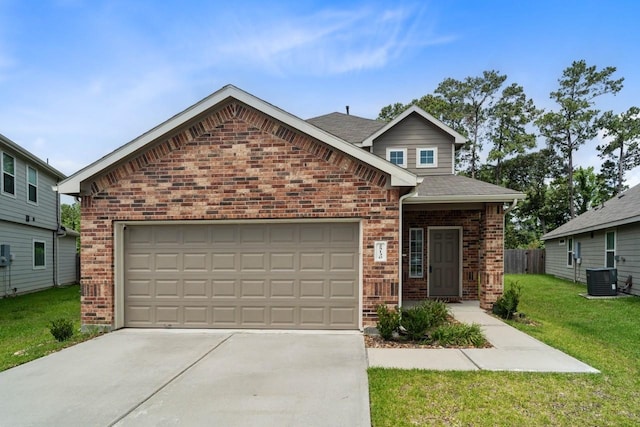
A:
[281,276]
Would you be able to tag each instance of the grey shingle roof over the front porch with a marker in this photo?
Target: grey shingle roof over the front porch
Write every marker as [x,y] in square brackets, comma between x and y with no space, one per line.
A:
[460,189]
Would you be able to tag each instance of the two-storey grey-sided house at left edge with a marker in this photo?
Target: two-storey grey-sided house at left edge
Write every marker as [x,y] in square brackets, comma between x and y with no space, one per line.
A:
[35,251]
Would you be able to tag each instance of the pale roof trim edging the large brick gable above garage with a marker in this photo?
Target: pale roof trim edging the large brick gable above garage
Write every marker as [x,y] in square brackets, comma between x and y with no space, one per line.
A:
[72,185]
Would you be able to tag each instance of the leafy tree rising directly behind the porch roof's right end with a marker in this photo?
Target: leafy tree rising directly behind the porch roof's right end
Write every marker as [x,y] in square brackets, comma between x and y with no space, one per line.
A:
[509,119]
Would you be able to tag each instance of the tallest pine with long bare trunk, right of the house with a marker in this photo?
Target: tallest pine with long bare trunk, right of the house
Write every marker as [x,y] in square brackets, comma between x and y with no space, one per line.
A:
[576,120]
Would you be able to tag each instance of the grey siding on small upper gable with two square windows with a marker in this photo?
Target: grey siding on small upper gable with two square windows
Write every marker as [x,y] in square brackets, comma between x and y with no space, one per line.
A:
[416,132]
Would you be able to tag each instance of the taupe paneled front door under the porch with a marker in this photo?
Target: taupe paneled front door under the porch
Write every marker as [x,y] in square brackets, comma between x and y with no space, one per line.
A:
[444,262]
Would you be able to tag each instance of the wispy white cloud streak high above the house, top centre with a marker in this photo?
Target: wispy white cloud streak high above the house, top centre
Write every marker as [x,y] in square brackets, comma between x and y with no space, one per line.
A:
[330,41]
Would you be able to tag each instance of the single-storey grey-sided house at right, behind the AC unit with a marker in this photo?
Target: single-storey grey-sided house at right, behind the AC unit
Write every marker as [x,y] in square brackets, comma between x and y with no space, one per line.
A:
[606,236]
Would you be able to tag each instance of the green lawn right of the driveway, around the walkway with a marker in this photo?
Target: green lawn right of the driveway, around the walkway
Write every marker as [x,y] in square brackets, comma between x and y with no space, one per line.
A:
[602,333]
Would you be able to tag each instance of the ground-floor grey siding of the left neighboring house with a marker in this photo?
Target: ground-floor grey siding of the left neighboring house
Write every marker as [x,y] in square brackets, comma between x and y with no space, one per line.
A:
[21,275]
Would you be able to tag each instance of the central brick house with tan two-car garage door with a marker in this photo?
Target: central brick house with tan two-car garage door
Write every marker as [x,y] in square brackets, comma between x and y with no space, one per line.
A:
[237,214]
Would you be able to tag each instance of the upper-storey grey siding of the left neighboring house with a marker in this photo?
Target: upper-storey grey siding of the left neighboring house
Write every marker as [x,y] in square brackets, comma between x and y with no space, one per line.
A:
[15,209]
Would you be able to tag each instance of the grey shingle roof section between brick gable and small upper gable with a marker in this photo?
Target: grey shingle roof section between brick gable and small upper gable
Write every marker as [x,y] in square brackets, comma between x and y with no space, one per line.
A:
[352,129]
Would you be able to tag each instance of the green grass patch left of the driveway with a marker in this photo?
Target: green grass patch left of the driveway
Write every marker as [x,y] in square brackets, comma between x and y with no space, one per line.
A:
[25,321]
